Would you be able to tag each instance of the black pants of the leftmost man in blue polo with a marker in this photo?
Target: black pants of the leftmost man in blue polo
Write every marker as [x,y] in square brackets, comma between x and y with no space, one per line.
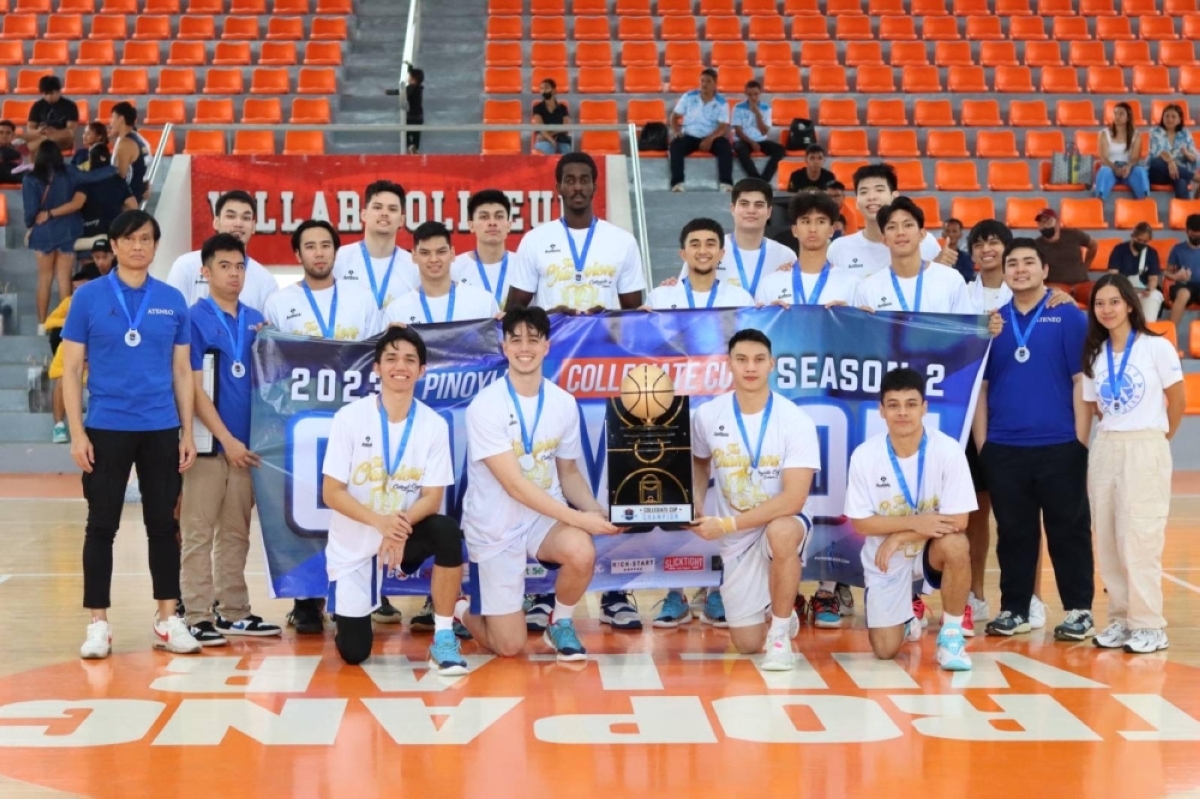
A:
[155,454]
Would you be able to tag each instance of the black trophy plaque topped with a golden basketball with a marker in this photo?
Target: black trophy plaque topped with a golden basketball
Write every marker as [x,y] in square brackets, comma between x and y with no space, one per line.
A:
[649,434]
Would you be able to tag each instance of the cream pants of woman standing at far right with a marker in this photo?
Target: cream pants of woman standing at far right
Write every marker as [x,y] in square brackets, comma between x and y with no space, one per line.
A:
[1130,486]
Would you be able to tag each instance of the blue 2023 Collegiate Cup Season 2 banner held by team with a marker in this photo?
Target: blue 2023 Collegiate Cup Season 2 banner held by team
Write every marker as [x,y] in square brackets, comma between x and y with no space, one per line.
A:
[829,362]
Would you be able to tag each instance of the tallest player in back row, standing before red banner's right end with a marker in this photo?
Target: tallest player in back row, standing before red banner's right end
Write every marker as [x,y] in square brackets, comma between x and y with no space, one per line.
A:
[579,263]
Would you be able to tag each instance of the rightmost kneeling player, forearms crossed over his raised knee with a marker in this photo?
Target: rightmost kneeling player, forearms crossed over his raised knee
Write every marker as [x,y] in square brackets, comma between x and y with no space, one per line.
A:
[910,494]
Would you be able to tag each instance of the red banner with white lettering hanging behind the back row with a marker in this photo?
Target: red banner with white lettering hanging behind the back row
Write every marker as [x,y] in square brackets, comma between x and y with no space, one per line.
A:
[293,189]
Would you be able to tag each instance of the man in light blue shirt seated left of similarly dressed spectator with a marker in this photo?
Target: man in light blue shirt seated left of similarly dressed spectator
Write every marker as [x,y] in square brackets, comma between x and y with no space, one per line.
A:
[700,122]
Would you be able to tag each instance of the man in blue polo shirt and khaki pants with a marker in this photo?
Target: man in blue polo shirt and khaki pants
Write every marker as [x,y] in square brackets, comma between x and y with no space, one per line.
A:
[219,494]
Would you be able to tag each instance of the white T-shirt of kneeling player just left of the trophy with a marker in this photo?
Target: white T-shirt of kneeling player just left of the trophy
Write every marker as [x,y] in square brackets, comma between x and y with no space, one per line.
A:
[491,519]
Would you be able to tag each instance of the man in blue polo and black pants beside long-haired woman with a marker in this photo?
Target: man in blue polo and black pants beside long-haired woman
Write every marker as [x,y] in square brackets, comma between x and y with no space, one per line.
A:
[1030,425]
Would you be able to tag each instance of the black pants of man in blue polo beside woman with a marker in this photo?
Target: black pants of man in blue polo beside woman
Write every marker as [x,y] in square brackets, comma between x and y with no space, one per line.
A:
[1031,486]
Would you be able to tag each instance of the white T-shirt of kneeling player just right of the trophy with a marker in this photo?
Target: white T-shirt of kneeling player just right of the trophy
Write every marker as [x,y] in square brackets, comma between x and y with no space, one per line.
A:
[790,443]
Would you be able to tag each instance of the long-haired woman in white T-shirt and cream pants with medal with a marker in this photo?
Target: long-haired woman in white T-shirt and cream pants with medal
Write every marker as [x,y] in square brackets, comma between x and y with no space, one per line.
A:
[1129,370]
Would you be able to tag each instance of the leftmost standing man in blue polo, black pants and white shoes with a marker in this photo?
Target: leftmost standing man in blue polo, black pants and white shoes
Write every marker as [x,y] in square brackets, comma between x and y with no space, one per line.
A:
[134,333]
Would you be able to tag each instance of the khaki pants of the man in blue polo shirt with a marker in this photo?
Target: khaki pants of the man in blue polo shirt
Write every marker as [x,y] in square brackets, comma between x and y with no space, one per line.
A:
[215,524]
